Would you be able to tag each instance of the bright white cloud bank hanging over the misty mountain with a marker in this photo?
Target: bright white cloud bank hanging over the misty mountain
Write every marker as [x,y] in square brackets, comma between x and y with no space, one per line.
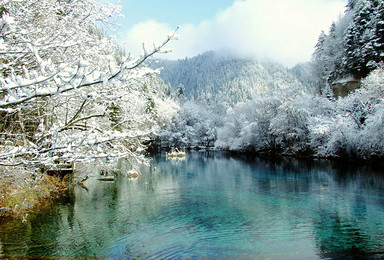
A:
[279,29]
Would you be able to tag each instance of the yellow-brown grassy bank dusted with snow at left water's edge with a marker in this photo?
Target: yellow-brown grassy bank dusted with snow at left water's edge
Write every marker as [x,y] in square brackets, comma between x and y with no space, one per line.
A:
[25,189]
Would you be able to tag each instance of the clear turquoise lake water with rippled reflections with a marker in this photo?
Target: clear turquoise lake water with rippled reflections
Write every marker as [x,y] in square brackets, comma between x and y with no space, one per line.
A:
[213,205]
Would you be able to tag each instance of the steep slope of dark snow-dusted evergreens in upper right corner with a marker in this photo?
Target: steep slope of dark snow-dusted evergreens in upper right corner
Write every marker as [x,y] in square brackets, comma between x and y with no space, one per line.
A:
[354,45]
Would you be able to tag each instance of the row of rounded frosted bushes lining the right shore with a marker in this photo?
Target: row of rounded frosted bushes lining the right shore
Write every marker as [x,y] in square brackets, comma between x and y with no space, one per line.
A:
[295,123]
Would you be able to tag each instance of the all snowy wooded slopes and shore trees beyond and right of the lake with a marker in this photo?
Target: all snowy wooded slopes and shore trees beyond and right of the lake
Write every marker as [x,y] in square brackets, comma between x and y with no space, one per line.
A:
[272,112]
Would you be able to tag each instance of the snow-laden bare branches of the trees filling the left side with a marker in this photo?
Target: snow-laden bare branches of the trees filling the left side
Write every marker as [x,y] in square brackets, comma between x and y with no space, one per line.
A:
[67,91]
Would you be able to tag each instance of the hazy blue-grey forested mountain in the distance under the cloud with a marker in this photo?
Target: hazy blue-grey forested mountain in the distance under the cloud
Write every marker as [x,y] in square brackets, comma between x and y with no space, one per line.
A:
[220,78]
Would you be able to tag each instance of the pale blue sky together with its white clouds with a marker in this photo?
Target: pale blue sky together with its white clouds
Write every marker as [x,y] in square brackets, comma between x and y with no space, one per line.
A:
[282,30]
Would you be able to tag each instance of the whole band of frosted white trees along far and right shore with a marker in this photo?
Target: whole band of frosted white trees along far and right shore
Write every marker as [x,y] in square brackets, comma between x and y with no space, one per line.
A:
[288,122]
